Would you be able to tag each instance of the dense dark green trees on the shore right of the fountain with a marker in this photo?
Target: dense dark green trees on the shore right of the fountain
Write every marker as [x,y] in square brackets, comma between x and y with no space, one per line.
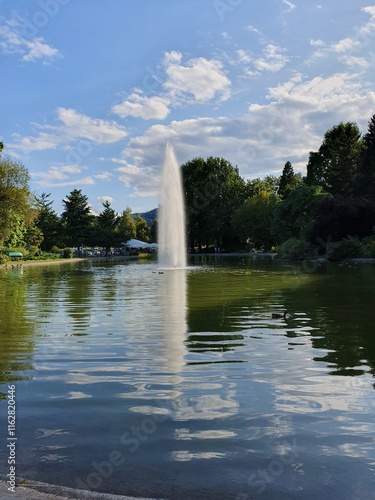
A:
[329,210]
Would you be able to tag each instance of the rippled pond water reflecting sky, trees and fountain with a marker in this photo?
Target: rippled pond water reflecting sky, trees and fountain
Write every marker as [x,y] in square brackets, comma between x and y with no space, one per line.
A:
[180,384]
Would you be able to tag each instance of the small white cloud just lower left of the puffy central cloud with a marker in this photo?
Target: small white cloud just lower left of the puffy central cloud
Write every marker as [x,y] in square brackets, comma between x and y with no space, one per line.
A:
[148,108]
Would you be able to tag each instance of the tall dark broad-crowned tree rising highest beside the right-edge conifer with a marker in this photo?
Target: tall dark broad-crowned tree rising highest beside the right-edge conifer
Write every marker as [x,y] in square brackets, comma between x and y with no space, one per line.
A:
[335,165]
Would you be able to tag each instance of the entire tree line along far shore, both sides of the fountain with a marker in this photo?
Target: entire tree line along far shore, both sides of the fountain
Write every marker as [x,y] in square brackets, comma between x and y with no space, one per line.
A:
[330,209]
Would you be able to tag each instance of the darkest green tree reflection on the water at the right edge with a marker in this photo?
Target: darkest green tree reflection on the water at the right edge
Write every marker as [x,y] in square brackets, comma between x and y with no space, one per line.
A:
[341,310]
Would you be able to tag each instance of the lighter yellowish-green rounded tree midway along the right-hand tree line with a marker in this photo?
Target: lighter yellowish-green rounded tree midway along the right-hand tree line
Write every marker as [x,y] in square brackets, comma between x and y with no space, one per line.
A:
[253,220]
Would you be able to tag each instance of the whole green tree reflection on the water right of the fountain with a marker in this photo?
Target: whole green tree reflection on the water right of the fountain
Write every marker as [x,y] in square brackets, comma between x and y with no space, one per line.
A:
[337,300]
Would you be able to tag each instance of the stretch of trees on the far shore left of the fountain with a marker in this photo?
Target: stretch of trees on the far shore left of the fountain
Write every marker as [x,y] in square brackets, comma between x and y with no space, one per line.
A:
[30,224]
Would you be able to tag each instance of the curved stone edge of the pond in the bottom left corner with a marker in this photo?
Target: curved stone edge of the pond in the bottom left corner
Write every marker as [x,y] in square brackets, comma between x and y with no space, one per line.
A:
[33,490]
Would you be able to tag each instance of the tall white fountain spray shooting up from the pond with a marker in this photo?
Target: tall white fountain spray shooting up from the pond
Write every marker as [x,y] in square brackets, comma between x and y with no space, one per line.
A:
[171,216]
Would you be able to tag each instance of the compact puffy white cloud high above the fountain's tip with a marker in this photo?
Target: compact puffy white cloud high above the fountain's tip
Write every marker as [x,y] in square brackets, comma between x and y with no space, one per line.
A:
[202,78]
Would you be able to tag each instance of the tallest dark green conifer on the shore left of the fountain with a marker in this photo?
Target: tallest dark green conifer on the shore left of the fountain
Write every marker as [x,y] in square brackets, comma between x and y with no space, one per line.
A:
[77,220]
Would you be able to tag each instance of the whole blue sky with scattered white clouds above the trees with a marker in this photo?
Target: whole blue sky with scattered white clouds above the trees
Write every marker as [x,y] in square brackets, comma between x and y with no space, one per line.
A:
[92,91]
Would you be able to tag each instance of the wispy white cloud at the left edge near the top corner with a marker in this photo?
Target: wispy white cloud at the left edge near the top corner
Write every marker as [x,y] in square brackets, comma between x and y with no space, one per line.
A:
[12,43]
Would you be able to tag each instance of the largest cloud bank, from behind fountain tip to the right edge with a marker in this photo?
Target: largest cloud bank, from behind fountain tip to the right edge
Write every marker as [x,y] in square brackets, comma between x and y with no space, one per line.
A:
[264,138]
